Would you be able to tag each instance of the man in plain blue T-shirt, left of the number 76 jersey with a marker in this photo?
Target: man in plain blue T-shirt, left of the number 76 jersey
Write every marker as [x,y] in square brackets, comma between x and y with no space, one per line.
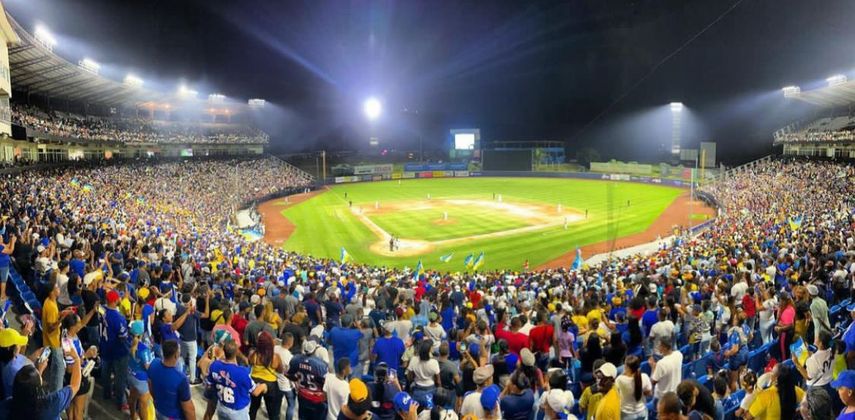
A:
[169,387]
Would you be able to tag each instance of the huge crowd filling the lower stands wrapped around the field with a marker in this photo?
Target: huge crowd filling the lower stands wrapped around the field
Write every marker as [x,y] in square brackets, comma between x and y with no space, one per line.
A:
[136,277]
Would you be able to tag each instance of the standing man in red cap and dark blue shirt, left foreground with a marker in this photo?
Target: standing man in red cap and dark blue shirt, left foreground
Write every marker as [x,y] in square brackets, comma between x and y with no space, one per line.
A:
[114,350]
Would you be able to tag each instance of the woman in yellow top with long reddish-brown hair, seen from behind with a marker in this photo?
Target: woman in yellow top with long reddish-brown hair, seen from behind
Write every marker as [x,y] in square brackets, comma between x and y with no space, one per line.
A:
[265,364]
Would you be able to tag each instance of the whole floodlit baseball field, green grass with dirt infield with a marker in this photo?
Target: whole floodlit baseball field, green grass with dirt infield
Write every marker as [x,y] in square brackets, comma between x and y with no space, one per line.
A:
[510,220]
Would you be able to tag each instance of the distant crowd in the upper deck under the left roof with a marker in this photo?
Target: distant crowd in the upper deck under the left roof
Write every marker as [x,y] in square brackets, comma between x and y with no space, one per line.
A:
[133,130]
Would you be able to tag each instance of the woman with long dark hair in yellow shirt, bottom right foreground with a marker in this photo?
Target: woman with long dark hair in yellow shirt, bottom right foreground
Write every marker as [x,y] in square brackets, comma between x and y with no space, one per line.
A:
[779,401]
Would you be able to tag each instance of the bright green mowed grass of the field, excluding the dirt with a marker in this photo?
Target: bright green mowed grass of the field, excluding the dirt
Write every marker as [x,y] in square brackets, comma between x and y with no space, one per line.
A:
[325,223]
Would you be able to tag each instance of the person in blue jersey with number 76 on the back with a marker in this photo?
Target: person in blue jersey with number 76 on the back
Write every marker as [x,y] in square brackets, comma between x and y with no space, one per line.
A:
[233,384]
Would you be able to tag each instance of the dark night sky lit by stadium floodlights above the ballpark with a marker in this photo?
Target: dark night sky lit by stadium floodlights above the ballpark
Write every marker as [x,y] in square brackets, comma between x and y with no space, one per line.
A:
[519,70]
